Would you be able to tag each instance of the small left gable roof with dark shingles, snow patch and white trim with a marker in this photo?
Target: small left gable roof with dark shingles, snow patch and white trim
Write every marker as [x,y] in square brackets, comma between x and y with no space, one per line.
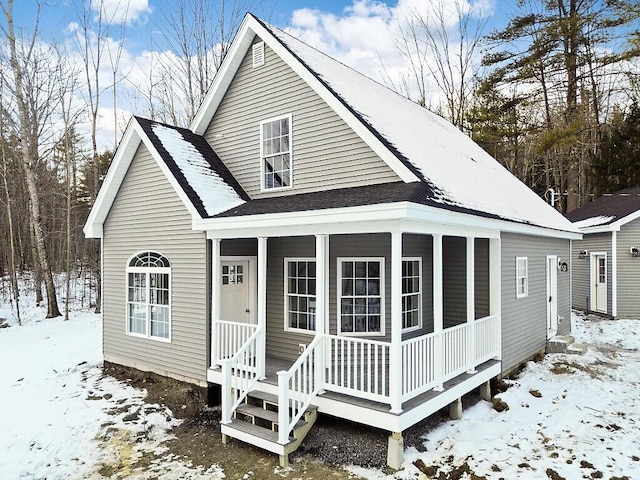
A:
[198,176]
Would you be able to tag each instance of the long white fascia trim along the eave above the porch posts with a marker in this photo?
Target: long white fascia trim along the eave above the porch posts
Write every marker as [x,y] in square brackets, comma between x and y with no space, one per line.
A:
[347,219]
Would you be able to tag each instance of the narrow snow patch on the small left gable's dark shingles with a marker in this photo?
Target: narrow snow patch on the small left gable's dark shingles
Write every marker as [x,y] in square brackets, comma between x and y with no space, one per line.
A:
[216,195]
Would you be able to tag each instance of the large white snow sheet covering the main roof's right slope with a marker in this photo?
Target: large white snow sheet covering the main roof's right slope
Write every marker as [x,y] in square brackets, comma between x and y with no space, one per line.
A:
[461,173]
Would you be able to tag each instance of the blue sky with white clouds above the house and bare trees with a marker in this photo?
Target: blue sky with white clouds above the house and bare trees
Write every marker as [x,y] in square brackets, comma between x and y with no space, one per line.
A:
[361,33]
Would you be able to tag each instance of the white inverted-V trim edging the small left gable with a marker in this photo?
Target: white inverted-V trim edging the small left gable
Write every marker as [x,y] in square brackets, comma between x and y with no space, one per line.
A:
[133,136]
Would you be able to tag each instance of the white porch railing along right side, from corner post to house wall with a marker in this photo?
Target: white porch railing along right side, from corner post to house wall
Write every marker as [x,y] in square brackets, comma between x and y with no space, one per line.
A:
[423,370]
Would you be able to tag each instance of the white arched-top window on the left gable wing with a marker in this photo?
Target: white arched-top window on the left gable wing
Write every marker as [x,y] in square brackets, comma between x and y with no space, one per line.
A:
[148,287]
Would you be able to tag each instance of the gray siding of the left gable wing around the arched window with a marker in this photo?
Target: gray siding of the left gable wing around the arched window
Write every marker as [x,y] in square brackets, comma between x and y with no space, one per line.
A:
[148,215]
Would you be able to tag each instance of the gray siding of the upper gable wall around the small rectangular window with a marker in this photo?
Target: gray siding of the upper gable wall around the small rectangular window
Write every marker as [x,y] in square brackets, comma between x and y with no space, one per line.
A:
[327,153]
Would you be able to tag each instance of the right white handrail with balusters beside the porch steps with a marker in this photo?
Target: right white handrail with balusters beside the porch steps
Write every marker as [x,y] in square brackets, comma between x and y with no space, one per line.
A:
[297,387]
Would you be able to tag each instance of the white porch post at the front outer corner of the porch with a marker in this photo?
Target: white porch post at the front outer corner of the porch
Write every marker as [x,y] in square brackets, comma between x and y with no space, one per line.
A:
[395,367]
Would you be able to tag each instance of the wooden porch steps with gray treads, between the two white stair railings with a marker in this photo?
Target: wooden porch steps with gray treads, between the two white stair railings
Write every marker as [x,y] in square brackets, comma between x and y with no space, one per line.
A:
[256,422]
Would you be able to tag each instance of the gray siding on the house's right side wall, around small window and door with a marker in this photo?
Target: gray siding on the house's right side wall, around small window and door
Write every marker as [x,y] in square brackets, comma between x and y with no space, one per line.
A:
[524,320]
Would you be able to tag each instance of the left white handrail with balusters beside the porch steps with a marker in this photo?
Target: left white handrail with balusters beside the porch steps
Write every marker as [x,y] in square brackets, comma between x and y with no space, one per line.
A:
[240,375]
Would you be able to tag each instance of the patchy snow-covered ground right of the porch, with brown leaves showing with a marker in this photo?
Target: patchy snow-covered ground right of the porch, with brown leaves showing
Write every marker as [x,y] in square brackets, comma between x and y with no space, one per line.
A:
[575,415]
